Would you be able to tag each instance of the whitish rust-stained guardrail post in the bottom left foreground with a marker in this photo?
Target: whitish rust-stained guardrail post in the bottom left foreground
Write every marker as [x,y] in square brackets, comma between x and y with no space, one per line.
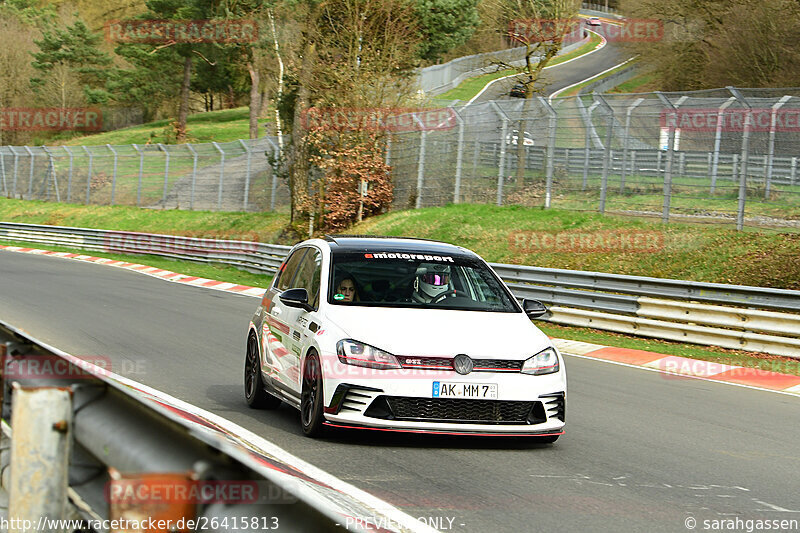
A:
[41,423]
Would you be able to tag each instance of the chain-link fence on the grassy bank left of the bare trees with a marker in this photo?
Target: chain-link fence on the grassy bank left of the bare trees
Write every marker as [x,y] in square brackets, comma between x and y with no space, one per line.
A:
[233,176]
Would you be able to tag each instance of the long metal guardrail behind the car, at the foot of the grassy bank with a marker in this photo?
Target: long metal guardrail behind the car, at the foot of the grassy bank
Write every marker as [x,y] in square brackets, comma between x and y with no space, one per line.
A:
[727,315]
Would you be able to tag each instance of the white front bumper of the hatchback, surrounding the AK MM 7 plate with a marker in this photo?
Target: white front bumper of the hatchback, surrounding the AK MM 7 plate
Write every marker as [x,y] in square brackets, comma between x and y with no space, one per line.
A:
[525,405]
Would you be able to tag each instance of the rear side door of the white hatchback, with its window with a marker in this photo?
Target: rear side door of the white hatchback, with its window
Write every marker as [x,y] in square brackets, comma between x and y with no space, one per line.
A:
[277,331]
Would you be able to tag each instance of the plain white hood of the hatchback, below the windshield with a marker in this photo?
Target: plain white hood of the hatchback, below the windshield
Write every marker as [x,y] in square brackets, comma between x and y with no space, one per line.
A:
[438,332]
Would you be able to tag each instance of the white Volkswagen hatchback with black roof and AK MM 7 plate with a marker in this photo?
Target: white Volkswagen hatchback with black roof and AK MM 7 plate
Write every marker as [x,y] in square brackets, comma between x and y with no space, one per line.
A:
[402,335]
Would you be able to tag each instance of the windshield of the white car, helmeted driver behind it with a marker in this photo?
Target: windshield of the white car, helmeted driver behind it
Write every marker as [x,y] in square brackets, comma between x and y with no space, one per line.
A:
[412,279]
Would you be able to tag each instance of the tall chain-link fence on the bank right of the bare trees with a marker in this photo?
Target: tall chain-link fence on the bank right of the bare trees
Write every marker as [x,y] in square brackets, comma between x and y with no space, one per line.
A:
[723,155]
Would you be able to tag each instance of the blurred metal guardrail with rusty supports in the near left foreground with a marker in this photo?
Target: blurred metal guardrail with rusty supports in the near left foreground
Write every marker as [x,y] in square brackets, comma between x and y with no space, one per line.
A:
[76,428]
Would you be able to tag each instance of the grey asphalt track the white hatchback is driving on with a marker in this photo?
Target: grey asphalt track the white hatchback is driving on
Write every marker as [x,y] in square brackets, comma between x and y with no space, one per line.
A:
[642,452]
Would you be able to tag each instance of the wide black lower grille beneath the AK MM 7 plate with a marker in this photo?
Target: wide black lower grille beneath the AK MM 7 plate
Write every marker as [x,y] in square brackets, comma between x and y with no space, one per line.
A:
[457,410]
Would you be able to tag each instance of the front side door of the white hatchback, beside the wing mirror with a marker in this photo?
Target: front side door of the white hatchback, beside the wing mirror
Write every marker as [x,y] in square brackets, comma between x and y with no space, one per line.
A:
[308,277]
